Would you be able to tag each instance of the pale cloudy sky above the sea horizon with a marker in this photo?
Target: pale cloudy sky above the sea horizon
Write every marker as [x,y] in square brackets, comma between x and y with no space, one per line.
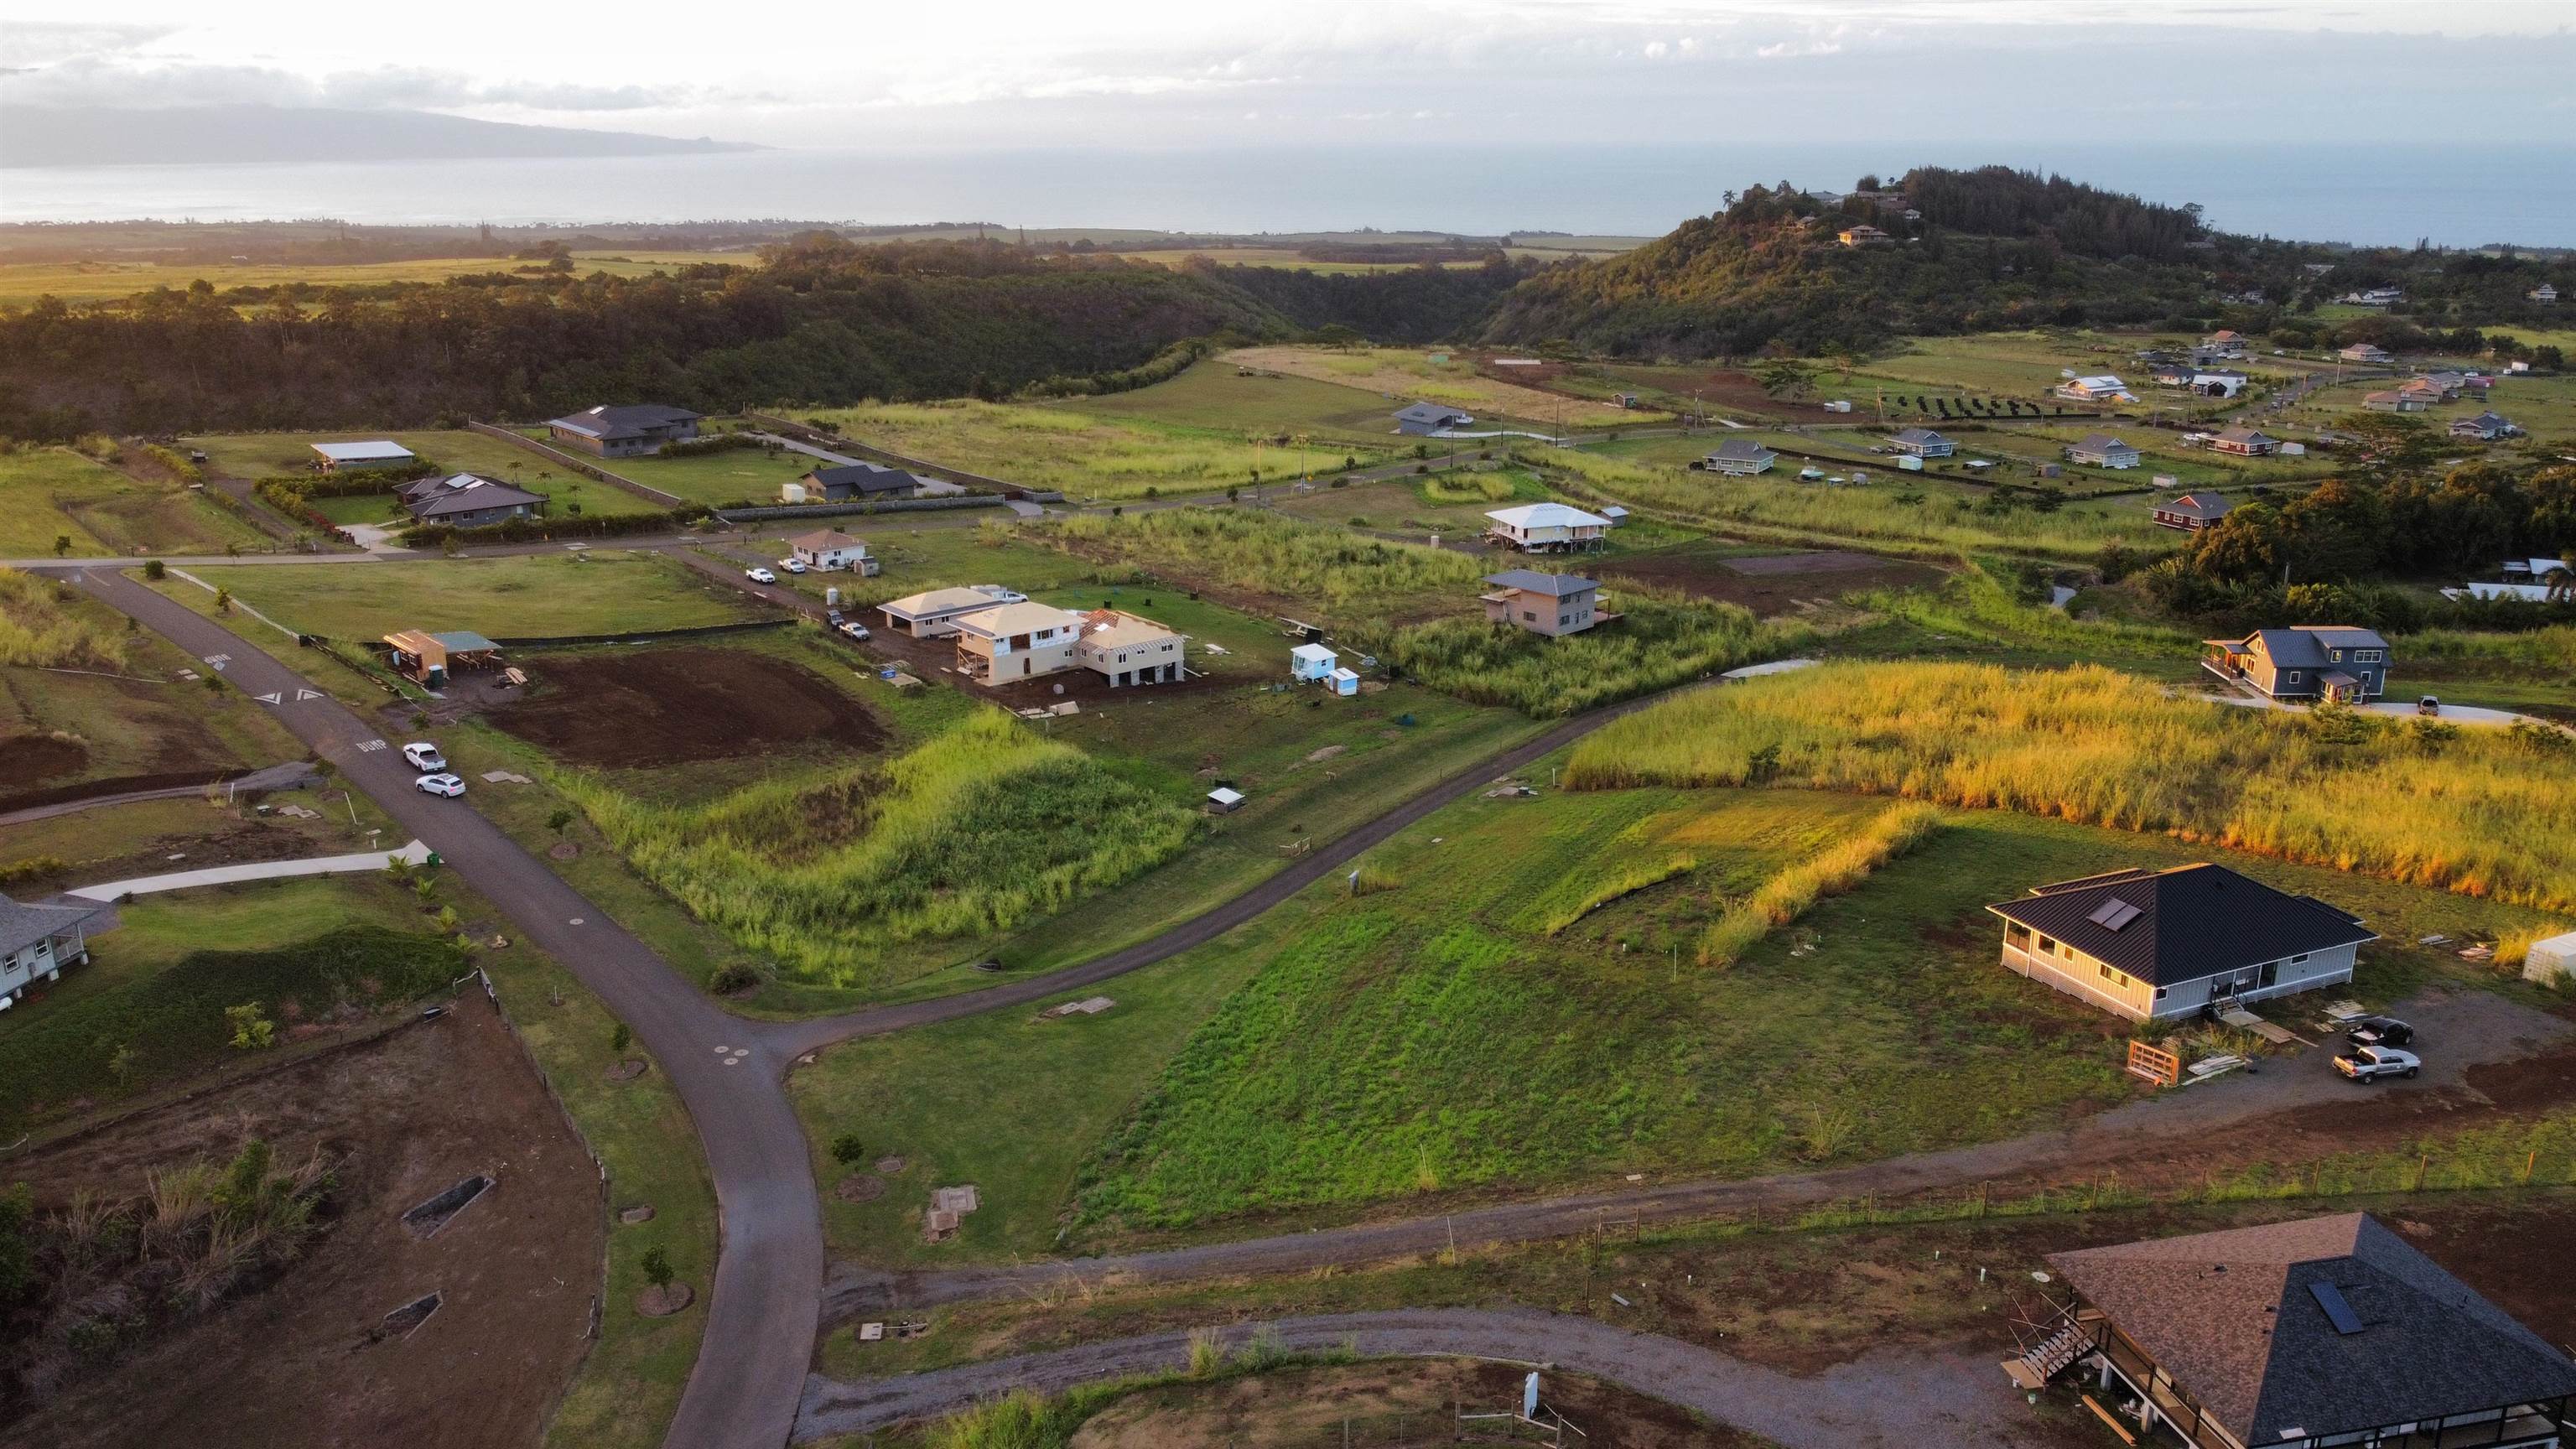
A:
[1346,73]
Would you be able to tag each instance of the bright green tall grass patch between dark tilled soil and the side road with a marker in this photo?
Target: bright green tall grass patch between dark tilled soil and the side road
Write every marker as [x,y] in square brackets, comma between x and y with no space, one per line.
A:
[970,834]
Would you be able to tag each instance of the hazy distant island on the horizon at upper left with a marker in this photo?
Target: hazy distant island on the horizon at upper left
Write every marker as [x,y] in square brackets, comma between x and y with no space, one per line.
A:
[202,135]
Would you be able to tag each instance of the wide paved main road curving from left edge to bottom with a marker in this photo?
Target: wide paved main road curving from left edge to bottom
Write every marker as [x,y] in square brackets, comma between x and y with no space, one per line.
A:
[769,1278]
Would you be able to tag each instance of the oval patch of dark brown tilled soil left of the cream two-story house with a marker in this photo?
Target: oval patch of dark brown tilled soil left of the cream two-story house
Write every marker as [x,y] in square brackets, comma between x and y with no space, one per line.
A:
[666,708]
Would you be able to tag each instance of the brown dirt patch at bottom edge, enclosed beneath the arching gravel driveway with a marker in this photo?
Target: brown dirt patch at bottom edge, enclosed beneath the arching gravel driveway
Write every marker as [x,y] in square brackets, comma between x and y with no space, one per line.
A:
[1379,1406]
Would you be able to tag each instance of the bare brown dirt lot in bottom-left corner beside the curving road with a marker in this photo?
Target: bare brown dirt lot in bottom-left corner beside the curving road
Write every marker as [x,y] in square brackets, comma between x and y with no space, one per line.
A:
[290,1365]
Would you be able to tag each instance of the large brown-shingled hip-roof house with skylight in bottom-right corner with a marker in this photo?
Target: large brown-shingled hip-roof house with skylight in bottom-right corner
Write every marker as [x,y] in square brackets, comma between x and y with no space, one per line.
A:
[2304,1337]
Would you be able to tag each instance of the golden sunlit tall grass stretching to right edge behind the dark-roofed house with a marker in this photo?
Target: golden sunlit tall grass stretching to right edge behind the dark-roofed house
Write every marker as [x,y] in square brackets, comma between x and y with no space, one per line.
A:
[2482,813]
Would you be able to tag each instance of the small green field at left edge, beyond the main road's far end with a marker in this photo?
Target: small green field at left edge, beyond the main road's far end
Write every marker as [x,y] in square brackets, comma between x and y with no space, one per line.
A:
[55,494]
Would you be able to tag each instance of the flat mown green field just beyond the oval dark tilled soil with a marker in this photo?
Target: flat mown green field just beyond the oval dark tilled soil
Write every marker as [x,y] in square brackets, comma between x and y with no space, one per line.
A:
[599,592]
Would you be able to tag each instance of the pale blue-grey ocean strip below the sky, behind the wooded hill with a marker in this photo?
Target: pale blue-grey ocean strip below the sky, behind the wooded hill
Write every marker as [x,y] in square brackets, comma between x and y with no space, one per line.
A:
[2361,192]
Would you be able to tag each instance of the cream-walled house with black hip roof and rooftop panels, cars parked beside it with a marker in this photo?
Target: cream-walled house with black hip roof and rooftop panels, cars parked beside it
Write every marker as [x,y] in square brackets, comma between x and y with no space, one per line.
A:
[2163,945]
